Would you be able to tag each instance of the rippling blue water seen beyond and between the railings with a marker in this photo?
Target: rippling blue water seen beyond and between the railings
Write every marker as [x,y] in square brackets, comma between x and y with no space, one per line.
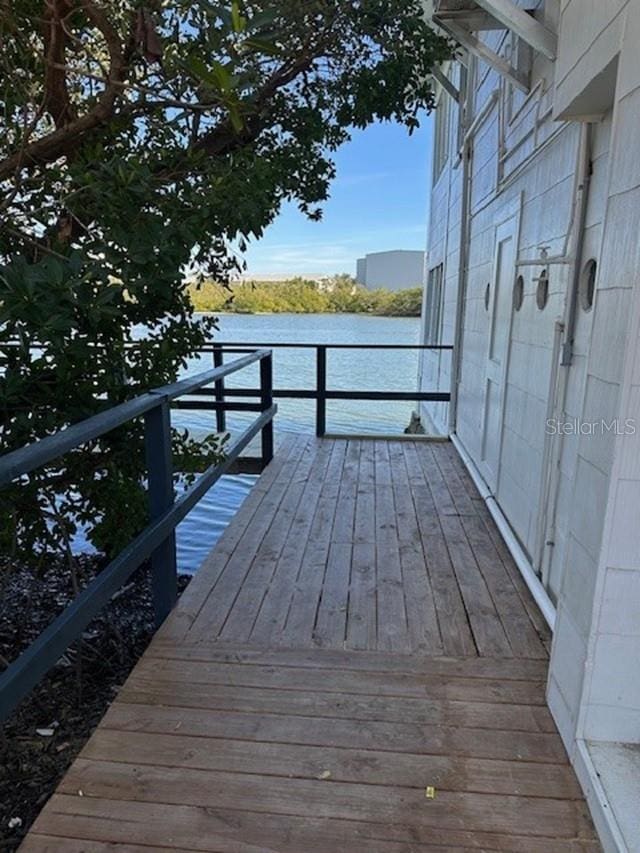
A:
[295,368]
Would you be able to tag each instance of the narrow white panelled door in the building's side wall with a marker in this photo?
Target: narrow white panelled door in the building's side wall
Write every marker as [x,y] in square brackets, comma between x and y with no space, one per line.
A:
[499,306]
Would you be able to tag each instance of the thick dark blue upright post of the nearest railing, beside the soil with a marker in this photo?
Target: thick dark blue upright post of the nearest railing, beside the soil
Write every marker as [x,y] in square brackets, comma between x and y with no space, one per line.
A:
[164,573]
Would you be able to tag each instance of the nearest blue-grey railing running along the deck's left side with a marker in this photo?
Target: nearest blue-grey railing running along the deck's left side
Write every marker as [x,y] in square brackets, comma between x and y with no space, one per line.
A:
[157,541]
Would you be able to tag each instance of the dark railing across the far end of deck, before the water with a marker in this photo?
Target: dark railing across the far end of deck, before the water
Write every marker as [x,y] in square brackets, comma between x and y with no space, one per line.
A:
[321,393]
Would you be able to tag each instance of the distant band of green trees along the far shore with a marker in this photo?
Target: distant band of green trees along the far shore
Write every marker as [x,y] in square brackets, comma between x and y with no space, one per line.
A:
[338,295]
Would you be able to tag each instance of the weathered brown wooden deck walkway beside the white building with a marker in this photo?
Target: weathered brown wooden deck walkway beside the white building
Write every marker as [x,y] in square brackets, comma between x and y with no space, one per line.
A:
[358,641]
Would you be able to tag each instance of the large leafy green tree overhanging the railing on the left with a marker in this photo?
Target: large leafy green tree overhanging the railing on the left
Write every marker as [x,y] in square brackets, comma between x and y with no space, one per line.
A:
[139,139]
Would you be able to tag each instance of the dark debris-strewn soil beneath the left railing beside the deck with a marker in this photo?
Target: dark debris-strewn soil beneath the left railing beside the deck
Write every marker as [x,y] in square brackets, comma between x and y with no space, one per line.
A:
[45,733]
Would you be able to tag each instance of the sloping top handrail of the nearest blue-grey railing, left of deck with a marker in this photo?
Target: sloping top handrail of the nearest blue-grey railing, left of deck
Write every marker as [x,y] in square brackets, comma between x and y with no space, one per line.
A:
[26,459]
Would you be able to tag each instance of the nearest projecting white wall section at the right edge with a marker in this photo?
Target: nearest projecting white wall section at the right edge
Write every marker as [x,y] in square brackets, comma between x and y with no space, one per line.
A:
[597,632]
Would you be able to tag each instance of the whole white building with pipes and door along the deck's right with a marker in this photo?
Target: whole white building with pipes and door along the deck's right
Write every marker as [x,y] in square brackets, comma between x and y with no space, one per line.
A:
[534,278]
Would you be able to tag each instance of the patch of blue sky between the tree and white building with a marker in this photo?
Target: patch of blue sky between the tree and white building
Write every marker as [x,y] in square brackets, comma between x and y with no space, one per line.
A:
[378,201]
